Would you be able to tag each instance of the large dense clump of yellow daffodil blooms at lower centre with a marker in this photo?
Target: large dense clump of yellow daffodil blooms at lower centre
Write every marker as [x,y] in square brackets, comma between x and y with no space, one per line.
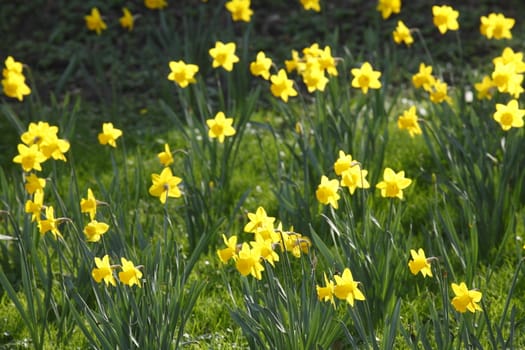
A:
[249,256]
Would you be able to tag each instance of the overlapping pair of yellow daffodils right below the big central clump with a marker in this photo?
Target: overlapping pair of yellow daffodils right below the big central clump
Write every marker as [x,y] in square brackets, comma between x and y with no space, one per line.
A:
[344,288]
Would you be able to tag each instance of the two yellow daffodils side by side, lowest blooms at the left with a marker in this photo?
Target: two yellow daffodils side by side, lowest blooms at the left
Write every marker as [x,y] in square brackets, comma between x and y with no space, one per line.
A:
[129,274]
